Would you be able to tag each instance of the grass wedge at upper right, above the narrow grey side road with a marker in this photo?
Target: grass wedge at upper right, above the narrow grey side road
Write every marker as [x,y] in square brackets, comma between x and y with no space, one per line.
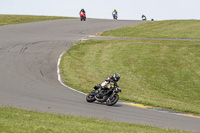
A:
[182,29]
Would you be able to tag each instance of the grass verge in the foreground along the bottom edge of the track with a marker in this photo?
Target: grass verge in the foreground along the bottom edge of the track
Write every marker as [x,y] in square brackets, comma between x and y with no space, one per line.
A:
[21,121]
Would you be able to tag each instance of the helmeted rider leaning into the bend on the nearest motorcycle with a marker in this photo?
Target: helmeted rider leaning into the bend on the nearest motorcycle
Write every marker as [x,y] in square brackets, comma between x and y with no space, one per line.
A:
[107,85]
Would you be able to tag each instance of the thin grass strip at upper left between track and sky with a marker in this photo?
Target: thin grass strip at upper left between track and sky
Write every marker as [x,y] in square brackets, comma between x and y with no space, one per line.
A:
[16,19]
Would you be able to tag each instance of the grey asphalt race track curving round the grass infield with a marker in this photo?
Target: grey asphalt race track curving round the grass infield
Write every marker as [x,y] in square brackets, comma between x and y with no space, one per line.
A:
[28,80]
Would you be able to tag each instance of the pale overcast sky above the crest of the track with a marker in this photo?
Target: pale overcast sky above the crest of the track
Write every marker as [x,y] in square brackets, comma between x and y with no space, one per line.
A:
[127,9]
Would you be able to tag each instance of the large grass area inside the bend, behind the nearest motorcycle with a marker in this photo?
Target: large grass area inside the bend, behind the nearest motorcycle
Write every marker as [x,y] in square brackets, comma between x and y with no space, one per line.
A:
[158,73]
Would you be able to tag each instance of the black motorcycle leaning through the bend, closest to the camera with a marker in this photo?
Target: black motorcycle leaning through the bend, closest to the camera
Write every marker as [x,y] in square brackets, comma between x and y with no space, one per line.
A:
[109,95]
